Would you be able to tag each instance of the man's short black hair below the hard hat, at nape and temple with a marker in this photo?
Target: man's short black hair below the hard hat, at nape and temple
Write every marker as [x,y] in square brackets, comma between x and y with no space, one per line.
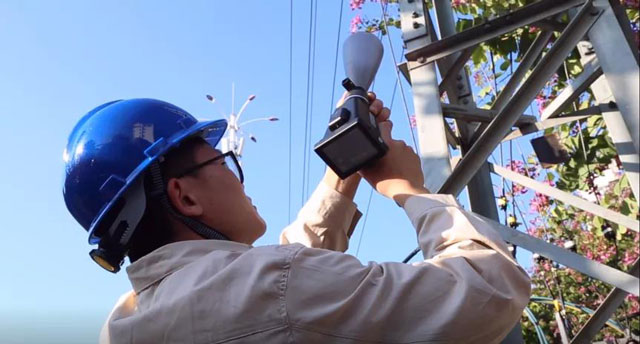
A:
[154,229]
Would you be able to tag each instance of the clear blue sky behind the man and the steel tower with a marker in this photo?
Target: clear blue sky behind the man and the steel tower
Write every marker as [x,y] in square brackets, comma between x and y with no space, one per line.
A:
[61,59]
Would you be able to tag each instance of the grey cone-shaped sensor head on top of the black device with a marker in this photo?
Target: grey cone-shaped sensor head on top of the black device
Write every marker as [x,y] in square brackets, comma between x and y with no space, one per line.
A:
[362,53]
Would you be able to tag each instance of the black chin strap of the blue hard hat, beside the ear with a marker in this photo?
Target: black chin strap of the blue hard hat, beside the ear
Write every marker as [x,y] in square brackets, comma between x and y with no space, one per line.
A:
[158,190]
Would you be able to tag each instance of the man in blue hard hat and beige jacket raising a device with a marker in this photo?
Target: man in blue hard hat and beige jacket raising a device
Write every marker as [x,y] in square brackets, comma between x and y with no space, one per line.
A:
[144,178]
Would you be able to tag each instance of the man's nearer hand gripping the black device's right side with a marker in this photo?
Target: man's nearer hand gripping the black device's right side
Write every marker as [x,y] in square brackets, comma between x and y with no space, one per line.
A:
[397,175]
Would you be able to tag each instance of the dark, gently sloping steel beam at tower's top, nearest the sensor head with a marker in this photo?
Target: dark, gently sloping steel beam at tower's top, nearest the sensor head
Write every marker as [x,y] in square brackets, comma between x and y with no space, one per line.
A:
[493,28]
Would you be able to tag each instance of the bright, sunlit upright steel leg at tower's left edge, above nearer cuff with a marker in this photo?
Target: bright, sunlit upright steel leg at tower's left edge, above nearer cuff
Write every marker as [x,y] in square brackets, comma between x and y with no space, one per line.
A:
[434,153]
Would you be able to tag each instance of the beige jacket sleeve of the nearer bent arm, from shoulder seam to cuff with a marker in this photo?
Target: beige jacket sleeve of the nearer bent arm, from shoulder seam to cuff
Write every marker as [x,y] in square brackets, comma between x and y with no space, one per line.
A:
[468,289]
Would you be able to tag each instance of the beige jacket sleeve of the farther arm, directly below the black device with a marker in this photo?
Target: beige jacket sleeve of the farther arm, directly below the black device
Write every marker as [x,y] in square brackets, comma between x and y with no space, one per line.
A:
[326,221]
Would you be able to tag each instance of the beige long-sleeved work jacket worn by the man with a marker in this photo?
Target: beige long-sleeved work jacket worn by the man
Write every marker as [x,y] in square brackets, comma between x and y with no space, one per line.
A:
[468,290]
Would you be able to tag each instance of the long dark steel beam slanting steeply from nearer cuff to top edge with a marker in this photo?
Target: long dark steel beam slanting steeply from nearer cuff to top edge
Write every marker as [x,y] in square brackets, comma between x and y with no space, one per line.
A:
[507,117]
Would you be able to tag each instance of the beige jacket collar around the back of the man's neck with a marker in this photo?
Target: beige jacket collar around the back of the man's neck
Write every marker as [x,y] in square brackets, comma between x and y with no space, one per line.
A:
[171,257]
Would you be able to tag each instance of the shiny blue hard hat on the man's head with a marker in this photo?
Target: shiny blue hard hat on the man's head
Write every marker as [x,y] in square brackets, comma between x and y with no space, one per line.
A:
[113,144]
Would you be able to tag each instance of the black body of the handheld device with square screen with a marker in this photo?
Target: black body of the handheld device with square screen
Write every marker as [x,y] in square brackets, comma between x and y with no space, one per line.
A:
[352,139]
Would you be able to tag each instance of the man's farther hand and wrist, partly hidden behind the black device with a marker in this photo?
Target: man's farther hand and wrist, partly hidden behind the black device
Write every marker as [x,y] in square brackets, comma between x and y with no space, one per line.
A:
[349,186]
